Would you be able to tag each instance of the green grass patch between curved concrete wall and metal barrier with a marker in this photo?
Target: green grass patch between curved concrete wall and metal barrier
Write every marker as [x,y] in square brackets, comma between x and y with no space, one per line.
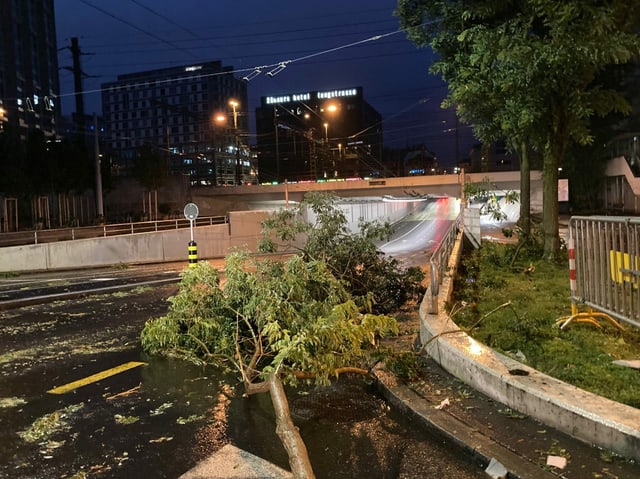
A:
[536,293]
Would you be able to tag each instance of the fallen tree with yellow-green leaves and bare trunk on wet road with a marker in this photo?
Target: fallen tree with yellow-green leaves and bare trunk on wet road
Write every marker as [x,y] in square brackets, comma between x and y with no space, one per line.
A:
[276,323]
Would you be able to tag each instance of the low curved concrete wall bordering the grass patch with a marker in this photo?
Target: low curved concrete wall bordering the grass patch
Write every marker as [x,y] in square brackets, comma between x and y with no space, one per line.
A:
[583,415]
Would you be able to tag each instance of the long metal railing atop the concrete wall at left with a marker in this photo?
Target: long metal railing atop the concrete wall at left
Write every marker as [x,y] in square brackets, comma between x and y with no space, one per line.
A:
[68,234]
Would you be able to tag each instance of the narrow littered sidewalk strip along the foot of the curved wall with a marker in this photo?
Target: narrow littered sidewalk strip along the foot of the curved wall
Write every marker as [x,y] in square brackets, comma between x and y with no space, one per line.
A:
[487,429]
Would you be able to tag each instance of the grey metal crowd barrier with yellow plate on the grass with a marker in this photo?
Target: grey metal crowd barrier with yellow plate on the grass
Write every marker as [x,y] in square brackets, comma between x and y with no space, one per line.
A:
[604,256]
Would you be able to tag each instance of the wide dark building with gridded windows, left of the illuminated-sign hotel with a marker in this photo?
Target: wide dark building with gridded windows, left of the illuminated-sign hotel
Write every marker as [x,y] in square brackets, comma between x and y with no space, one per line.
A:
[186,113]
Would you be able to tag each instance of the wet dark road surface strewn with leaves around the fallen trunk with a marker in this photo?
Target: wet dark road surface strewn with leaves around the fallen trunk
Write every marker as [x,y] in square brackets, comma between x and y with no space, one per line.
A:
[159,419]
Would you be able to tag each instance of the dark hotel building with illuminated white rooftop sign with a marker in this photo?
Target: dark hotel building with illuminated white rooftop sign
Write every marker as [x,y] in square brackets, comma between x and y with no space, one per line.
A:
[312,135]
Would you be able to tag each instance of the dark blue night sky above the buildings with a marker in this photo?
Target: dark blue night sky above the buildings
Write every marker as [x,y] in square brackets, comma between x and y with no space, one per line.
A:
[328,44]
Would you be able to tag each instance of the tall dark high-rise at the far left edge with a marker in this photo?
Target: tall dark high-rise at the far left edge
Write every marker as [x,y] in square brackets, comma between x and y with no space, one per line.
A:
[28,67]
